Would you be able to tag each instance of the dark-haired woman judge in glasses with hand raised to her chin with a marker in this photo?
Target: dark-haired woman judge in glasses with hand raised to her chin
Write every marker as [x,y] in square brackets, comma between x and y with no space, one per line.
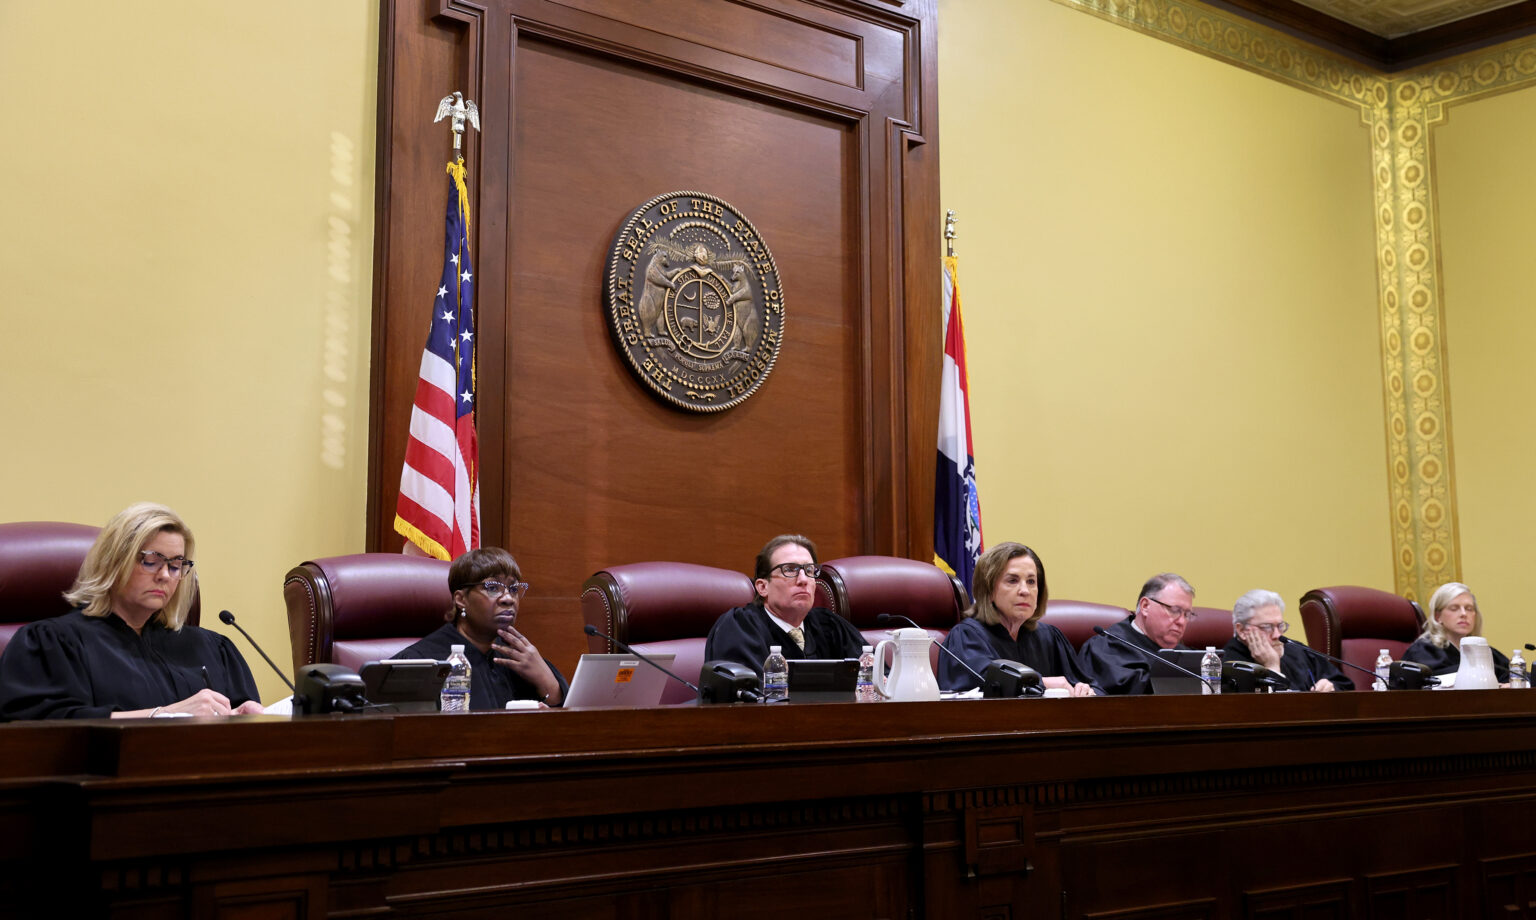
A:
[488,589]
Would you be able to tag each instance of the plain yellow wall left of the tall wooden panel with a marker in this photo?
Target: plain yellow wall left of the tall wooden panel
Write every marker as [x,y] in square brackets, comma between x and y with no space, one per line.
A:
[187,277]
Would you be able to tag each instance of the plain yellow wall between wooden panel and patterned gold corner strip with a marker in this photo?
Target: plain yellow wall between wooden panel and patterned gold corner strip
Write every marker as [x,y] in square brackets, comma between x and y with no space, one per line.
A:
[1168,273]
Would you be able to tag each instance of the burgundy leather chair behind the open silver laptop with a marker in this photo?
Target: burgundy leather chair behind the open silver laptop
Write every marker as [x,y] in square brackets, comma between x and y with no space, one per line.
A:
[663,607]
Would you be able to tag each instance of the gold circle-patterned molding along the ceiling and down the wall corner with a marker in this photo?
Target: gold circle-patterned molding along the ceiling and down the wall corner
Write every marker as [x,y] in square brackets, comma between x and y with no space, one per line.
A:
[1402,113]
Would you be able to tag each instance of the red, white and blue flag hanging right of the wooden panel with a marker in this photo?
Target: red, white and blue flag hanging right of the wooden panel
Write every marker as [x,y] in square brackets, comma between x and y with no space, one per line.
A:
[958,506]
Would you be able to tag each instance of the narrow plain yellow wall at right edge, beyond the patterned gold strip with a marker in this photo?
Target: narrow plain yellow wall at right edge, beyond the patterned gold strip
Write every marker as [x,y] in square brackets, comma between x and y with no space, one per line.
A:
[1488,197]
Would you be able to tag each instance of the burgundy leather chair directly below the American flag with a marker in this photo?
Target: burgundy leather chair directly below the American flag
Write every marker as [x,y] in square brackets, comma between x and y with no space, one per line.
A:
[349,611]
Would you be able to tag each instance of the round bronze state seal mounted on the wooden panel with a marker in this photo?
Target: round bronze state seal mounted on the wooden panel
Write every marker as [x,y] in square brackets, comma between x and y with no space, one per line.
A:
[695,302]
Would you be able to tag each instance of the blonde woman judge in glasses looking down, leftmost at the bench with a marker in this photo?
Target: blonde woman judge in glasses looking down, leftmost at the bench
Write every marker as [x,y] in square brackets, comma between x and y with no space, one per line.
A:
[127,649]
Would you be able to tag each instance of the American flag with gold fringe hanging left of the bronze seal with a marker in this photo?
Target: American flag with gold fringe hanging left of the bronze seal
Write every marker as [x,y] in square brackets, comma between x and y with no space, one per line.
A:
[440,486]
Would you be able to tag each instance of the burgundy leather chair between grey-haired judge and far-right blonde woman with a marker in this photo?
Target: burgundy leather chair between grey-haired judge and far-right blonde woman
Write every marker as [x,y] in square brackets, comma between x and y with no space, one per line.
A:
[1356,624]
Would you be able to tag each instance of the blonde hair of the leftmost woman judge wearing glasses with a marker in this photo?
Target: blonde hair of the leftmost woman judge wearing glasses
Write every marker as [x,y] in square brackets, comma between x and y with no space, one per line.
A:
[114,555]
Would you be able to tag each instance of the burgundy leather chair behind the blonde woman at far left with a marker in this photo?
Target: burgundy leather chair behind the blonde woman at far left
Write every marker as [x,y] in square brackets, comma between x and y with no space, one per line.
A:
[39,561]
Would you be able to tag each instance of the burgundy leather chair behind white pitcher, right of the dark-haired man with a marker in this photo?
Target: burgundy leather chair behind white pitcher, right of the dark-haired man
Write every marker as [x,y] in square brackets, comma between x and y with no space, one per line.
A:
[859,589]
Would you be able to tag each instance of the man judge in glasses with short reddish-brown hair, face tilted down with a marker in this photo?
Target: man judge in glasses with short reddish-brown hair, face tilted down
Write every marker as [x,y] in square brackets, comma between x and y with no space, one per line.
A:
[1164,612]
